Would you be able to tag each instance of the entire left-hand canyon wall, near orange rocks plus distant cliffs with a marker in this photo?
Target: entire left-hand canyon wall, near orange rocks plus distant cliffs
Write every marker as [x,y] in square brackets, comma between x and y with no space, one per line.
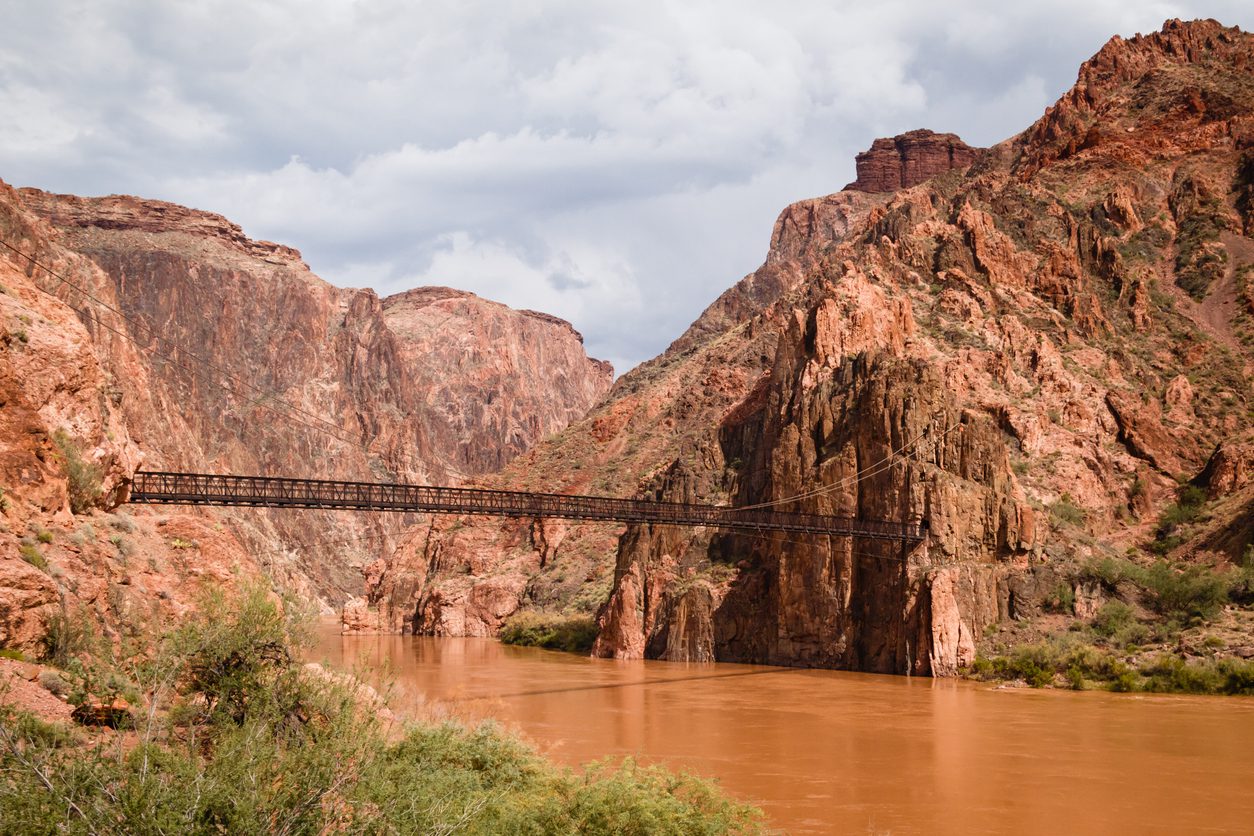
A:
[204,350]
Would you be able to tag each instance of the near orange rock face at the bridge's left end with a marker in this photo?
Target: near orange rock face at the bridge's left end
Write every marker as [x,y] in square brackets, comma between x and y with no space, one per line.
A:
[62,390]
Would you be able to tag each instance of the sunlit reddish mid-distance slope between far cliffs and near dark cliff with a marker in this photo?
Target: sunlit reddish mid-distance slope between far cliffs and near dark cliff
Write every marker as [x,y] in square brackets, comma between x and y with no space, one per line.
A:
[460,577]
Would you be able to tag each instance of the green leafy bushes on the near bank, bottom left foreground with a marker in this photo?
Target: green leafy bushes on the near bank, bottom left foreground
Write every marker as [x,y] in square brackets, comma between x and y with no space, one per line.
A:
[236,736]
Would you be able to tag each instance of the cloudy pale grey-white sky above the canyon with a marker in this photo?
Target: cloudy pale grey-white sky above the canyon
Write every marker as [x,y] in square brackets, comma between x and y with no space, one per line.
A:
[614,164]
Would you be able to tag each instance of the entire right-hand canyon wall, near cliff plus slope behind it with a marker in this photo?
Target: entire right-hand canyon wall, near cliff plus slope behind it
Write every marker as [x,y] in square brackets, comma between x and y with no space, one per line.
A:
[1028,354]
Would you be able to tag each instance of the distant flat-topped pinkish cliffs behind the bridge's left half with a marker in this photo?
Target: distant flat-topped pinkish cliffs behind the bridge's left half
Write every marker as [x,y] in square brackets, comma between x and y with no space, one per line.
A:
[292,375]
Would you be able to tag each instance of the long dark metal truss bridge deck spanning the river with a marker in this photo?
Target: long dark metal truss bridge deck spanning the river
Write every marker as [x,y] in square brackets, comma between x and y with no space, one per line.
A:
[270,492]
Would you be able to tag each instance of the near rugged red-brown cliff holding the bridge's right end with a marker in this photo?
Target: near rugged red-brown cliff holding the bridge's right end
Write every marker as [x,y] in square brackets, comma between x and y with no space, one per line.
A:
[1023,358]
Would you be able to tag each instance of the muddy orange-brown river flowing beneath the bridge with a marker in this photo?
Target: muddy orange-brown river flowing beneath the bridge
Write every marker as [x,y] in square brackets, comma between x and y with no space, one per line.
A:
[832,753]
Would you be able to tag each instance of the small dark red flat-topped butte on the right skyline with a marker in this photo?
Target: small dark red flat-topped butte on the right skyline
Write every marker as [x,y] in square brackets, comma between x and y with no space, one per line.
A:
[900,162]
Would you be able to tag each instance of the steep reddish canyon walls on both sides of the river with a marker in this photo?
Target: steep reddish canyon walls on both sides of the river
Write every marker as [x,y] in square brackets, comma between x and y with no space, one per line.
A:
[1026,348]
